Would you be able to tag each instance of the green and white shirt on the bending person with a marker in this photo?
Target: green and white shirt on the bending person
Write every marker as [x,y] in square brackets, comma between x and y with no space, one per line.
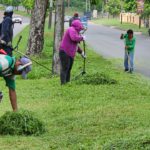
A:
[6,67]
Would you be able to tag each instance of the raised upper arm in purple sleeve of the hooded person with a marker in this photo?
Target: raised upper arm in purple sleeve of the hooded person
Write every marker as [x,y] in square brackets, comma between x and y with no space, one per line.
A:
[75,36]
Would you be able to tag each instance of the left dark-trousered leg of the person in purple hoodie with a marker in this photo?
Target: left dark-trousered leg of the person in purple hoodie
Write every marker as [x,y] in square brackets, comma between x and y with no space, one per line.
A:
[64,61]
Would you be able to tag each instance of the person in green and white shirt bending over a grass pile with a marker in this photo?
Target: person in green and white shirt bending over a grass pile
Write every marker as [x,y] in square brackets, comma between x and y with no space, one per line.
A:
[9,67]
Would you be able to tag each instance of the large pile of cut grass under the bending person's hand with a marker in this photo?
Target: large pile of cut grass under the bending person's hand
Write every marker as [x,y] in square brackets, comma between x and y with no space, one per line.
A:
[20,123]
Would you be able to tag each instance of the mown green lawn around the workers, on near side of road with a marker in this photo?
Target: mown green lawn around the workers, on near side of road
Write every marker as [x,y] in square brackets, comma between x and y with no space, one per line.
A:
[82,116]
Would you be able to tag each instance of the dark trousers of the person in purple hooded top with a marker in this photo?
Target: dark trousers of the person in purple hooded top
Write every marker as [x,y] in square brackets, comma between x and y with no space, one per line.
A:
[66,66]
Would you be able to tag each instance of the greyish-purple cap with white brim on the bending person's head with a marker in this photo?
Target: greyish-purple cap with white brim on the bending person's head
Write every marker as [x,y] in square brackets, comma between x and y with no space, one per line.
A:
[26,66]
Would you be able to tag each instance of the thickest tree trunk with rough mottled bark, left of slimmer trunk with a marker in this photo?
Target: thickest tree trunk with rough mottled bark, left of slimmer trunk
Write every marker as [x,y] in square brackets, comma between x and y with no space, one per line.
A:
[36,37]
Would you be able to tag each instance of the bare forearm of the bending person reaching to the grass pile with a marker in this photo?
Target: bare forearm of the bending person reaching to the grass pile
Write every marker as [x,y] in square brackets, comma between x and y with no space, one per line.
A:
[13,99]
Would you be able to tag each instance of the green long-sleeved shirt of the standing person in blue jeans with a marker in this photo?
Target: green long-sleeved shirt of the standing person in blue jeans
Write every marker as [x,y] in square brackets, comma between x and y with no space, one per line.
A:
[130,43]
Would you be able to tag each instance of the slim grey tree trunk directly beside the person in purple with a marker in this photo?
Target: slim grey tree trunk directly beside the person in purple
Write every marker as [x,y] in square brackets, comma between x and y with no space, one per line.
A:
[59,28]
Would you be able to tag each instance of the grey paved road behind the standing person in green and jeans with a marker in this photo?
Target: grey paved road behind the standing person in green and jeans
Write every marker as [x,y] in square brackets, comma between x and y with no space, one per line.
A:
[105,41]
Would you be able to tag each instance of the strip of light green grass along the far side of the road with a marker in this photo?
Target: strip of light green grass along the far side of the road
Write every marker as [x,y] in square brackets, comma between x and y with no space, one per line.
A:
[125,26]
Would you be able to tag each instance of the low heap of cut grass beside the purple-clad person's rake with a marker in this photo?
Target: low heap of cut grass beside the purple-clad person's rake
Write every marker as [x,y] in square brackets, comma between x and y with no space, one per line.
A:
[96,79]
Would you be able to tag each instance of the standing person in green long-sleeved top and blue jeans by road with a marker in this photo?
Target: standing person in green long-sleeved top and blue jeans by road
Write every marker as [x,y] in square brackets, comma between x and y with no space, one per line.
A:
[130,41]
